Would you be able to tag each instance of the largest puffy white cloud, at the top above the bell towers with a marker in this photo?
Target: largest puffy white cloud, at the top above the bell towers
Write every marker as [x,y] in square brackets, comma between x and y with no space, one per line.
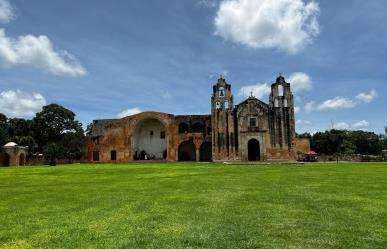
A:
[288,25]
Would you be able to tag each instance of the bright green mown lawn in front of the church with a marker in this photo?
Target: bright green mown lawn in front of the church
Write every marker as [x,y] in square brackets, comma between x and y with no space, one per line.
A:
[188,205]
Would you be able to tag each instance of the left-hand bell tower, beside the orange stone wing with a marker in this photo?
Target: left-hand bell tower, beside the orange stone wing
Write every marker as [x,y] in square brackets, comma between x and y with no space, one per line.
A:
[222,118]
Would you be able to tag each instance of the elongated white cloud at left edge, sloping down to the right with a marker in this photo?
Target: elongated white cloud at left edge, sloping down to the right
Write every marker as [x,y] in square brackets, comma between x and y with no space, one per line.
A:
[37,52]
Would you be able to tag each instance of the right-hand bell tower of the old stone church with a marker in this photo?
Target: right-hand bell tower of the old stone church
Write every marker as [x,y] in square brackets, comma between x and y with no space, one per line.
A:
[281,104]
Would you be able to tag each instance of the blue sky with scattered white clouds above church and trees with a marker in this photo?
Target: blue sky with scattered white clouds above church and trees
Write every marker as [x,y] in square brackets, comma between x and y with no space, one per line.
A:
[105,58]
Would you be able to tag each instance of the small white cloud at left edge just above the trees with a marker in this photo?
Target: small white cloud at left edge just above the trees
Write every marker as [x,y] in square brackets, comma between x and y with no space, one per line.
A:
[21,104]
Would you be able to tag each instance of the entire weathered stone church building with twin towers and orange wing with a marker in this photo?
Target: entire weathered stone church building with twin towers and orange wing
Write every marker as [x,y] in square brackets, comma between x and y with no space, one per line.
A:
[252,130]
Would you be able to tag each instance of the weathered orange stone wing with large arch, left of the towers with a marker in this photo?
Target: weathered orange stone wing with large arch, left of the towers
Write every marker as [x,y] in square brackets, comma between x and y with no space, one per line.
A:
[128,135]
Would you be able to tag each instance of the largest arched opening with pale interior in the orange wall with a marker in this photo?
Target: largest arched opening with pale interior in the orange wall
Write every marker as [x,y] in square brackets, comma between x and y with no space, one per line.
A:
[150,140]
